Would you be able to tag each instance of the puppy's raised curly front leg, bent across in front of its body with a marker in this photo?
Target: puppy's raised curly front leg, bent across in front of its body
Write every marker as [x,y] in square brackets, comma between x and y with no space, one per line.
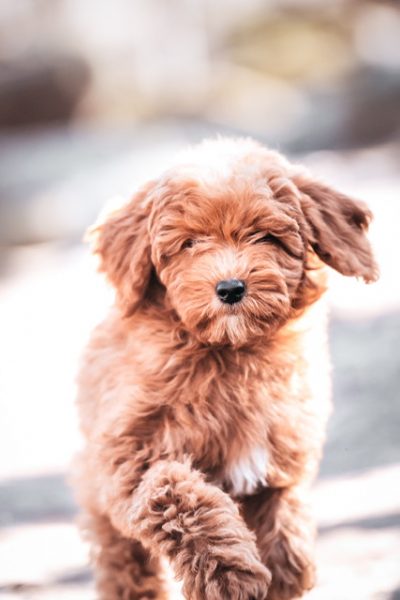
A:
[175,512]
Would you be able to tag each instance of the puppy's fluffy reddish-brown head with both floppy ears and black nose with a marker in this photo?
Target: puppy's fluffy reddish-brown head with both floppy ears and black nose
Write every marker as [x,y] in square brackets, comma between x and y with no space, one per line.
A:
[231,235]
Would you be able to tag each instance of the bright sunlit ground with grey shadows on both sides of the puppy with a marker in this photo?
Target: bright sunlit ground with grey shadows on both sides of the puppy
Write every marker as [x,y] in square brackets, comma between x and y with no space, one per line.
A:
[50,299]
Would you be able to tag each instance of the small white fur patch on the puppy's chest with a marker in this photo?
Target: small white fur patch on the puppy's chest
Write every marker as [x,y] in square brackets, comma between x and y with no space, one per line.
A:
[248,473]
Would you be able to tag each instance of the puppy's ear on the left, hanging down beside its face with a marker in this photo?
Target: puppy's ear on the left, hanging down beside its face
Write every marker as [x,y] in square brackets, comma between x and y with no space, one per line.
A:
[122,243]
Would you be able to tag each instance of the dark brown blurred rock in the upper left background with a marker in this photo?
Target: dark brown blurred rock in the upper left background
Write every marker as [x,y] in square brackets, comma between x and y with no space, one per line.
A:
[41,89]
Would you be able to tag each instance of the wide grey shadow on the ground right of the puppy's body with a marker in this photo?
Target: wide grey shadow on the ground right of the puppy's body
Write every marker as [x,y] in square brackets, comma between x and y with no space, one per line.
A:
[364,428]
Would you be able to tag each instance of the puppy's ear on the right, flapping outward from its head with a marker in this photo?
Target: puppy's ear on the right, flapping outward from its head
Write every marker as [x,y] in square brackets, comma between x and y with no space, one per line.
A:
[337,227]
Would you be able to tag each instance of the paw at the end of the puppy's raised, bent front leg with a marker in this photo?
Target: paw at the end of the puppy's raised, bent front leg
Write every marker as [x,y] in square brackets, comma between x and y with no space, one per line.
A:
[222,582]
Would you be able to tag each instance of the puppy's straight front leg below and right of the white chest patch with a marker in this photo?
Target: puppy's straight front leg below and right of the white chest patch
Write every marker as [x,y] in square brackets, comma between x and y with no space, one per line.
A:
[285,539]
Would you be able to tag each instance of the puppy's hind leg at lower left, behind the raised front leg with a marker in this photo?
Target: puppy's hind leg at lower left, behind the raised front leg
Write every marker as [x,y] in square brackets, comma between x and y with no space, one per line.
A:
[124,569]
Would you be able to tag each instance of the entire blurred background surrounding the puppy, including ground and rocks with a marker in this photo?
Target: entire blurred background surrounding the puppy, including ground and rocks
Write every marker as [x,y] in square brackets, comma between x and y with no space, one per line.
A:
[95,97]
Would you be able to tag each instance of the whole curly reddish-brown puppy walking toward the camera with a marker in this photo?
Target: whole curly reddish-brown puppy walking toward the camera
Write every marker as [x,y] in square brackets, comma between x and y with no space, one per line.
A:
[204,394]
